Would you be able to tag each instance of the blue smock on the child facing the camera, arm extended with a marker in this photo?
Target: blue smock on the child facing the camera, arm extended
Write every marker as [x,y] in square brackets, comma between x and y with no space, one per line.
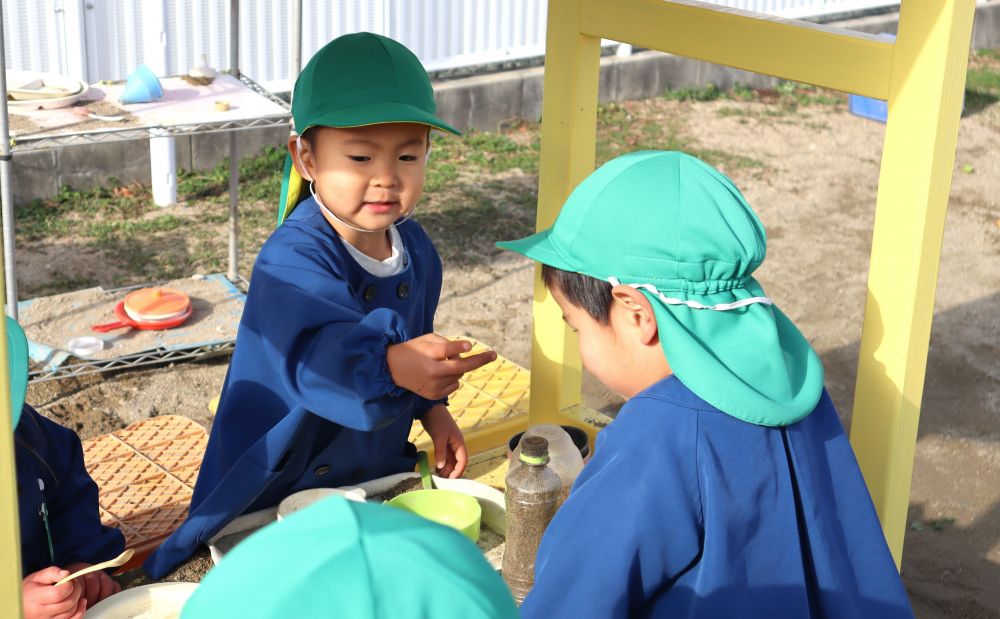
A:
[308,401]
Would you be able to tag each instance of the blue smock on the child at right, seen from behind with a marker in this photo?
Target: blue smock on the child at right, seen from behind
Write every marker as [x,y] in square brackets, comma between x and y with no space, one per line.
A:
[685,511]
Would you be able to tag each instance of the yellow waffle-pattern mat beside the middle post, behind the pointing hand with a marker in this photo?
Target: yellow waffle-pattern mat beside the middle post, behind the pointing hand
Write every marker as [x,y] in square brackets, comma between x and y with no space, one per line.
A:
[489,395]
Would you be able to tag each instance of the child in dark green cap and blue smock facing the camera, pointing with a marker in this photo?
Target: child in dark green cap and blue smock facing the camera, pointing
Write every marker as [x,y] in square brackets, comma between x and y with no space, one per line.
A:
[335,353]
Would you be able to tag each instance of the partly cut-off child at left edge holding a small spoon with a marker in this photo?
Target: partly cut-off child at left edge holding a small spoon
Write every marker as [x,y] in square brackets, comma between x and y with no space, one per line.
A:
[60,523]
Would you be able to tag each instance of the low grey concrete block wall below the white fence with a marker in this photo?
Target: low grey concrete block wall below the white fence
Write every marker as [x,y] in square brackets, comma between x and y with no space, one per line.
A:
[483,102]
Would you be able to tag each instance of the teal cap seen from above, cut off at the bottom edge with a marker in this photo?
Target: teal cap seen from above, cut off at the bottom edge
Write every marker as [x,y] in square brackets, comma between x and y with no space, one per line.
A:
[340,558]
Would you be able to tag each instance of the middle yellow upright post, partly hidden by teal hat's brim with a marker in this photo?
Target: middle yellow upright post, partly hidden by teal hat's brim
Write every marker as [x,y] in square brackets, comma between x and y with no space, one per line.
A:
[569,135]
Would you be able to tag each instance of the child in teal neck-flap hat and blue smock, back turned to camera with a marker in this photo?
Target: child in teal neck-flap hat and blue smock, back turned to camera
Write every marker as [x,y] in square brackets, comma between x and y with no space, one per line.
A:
[725,486]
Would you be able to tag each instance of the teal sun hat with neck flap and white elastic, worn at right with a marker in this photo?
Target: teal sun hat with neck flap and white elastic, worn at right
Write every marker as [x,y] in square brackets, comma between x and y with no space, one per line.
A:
[678,230]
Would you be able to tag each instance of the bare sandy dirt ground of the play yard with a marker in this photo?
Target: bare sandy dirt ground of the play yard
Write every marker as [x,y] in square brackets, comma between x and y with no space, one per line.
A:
[815,191]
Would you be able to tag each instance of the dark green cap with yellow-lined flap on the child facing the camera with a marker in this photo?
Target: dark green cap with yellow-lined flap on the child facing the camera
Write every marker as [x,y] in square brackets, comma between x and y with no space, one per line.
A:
[357,80]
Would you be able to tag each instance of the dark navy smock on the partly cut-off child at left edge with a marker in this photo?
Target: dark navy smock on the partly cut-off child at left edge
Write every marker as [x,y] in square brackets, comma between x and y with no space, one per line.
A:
[46,451]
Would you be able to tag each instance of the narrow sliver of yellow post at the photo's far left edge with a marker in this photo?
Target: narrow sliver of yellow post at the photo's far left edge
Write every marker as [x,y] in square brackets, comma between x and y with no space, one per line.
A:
[10,534]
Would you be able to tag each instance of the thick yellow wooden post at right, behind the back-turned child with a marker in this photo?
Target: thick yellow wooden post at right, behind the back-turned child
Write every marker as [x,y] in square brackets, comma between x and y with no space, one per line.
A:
[925,100]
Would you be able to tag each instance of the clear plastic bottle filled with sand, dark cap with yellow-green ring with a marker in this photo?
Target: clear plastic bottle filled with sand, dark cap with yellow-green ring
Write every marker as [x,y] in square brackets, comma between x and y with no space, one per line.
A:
[532,496]
